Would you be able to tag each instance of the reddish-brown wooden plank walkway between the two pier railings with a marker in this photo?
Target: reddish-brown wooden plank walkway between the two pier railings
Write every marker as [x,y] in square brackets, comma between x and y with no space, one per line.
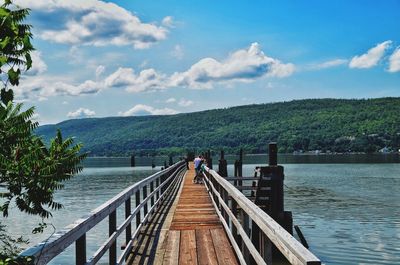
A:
[196,235]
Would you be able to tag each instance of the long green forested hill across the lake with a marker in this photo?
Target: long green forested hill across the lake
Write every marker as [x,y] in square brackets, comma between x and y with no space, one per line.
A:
[314,124]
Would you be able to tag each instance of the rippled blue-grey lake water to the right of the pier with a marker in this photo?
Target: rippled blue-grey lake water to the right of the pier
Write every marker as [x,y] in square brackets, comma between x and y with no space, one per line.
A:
[349,213]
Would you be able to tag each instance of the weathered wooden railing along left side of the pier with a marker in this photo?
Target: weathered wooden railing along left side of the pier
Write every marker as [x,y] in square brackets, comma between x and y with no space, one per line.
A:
[149,191]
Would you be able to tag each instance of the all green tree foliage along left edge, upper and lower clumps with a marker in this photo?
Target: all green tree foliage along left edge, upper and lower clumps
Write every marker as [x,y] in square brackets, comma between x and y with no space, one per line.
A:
[30,172]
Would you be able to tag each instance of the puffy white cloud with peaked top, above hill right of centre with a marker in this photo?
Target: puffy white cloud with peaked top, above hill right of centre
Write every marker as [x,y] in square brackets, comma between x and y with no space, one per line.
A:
[242,65]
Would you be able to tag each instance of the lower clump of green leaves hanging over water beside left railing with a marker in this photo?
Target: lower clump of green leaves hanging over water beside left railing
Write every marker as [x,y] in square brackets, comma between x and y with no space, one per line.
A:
[31,171]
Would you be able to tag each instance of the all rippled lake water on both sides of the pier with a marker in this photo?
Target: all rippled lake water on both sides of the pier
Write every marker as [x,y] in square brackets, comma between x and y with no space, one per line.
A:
[348,212]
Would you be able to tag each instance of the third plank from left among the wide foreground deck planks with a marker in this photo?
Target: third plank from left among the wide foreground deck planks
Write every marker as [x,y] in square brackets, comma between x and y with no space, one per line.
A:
[205,248]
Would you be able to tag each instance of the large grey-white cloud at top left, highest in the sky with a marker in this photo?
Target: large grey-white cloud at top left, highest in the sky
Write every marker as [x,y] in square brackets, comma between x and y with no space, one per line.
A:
[92,22]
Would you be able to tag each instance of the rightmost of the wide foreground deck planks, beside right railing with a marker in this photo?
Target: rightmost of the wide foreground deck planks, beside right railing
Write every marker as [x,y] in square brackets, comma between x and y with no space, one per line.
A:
[222,247]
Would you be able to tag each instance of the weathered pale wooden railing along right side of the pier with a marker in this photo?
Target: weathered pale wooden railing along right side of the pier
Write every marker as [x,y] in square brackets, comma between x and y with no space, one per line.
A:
[252,232]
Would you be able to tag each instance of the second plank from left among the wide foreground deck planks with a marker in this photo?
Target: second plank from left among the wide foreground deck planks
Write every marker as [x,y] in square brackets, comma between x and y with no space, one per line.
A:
[187,246]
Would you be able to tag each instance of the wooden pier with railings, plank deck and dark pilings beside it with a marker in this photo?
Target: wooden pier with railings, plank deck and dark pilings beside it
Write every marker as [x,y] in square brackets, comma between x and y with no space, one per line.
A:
[170,220]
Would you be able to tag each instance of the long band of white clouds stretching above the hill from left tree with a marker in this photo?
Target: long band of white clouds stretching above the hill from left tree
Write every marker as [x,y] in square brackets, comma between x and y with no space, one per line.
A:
[244,65]
